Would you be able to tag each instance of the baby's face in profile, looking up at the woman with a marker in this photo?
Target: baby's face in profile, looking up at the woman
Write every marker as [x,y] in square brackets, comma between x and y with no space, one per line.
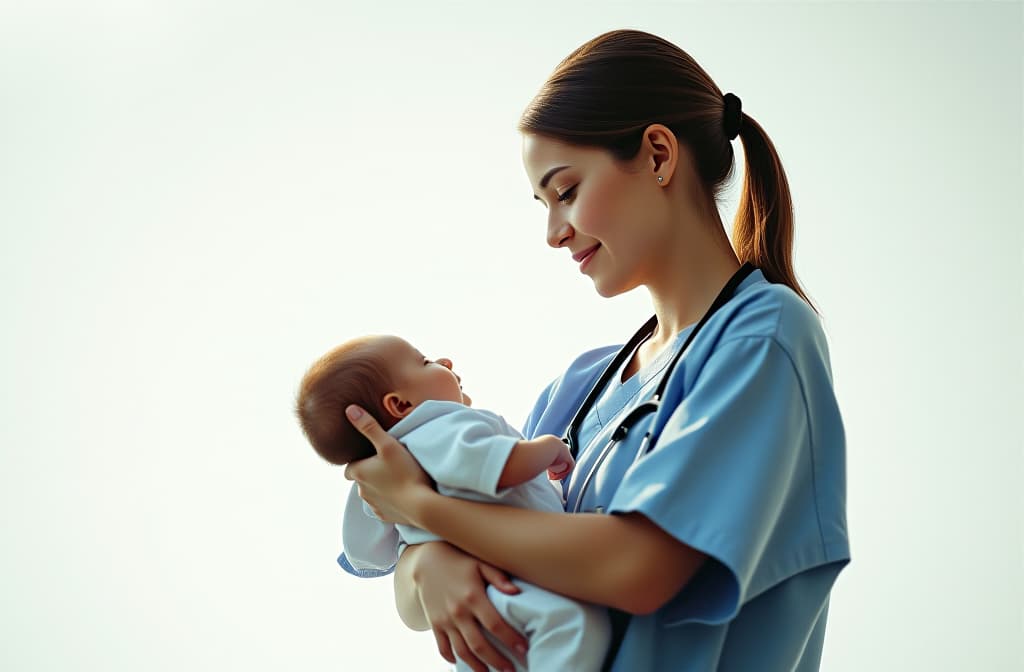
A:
[419,379]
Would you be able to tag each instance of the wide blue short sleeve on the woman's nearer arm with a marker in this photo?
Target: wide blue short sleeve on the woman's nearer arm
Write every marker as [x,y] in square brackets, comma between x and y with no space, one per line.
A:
[732,475]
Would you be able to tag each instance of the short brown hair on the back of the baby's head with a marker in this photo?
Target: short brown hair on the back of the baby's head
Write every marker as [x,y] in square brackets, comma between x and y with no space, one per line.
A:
[352,373]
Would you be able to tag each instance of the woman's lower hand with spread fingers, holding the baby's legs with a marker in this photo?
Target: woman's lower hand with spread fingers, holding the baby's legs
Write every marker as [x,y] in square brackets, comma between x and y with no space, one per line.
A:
[452,590]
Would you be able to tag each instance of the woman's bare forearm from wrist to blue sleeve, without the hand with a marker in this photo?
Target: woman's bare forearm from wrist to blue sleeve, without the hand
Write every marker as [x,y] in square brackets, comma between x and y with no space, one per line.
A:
[624,562]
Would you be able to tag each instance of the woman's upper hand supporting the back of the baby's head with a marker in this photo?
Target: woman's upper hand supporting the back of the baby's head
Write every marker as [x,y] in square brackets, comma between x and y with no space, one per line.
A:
[391,482]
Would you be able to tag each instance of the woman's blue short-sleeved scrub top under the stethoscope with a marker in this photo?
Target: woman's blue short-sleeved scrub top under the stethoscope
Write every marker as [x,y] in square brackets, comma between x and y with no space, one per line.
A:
[750,469]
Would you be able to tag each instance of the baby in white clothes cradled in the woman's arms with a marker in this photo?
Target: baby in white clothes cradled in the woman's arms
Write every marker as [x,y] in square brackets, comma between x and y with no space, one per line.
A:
[470,453]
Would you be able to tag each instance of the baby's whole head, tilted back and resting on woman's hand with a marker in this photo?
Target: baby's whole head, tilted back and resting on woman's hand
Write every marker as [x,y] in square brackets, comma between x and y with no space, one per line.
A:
[385,375]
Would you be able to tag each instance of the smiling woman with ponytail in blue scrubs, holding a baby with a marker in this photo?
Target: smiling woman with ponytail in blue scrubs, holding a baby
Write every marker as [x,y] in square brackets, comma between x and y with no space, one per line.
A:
[717,539]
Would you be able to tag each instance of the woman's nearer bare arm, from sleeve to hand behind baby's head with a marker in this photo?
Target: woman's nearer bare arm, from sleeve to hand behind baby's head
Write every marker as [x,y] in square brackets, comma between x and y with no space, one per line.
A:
[625,562]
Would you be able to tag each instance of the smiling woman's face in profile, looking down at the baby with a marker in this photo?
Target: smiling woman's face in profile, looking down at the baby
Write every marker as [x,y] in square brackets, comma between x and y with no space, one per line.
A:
[604,212]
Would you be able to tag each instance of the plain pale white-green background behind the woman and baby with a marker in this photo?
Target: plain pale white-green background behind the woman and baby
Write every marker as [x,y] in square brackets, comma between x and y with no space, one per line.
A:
[198,199]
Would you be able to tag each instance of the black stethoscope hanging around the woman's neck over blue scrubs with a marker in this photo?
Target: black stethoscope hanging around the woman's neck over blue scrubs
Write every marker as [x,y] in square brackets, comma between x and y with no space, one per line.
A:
[630,425]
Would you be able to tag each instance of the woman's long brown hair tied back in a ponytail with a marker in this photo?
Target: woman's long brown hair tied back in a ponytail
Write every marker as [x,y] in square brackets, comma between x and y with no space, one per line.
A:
[611,90]
